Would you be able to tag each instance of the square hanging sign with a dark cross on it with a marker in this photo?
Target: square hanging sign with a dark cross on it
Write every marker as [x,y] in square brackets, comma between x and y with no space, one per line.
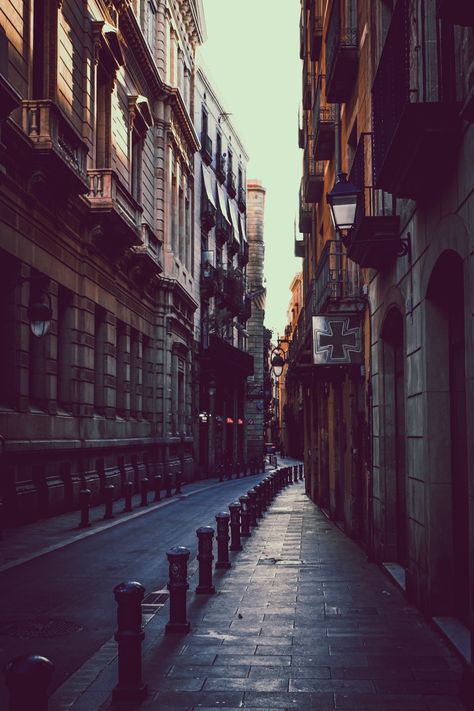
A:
[337,340]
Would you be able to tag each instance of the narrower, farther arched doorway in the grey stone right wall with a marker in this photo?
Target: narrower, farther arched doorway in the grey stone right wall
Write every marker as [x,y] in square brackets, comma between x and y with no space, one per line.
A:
[395,437]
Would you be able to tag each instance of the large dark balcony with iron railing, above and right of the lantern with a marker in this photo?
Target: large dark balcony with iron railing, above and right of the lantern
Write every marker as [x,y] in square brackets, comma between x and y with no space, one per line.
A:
[415,120]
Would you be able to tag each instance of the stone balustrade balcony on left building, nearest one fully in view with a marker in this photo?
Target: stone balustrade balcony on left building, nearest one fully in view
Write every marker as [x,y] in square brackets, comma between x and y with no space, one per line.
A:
[59,151]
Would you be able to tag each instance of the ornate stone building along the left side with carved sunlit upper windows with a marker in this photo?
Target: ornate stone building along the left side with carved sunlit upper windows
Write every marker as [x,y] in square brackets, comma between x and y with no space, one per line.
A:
[97,234]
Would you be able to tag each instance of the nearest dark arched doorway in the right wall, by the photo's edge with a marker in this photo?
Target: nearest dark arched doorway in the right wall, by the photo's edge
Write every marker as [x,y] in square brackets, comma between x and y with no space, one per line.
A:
[447,374]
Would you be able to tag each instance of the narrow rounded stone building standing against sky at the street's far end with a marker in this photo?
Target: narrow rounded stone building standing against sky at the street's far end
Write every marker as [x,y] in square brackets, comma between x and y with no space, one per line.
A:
[255,405]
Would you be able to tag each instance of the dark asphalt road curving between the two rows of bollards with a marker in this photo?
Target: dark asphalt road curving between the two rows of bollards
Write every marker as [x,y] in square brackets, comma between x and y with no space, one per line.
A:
[73,586]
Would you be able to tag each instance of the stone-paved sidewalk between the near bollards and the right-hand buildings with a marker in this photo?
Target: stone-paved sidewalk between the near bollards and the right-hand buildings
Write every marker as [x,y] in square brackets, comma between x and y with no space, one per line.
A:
[301,621]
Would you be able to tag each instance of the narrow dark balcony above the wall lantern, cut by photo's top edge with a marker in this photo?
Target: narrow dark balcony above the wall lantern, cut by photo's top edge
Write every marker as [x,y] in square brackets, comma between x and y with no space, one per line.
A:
[342,53]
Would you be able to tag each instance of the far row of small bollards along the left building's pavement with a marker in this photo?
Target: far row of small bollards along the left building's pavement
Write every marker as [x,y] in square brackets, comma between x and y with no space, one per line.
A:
[154,486]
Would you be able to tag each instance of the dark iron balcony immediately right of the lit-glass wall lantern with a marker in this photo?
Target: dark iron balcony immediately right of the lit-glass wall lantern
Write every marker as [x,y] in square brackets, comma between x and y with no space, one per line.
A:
[374,241]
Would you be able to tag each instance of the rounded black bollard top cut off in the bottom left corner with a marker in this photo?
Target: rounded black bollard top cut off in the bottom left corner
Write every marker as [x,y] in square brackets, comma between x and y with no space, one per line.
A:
[27,679]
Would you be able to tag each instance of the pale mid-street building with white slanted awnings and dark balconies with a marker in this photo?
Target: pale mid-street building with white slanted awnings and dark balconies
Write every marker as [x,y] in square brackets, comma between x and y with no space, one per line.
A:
[222,254]
